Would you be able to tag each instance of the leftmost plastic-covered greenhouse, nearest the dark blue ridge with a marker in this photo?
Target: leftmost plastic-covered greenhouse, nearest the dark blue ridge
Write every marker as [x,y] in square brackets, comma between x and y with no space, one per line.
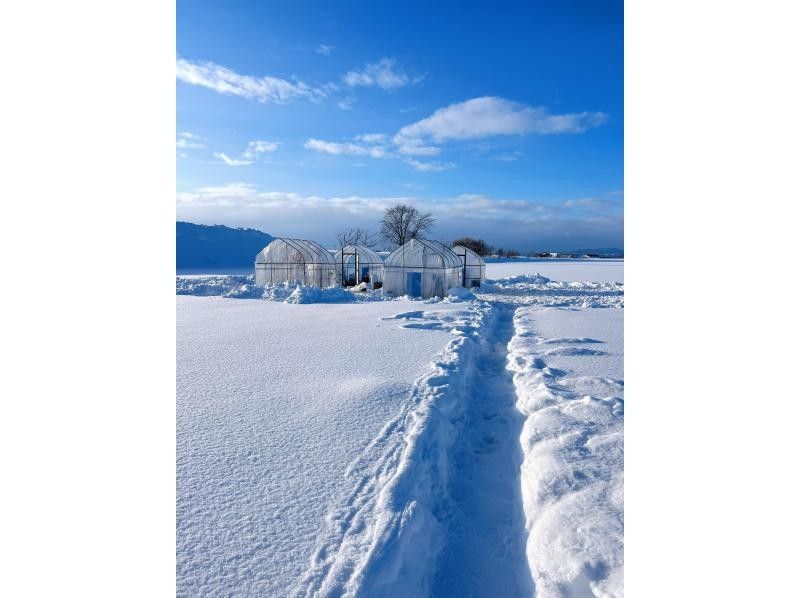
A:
[295,260]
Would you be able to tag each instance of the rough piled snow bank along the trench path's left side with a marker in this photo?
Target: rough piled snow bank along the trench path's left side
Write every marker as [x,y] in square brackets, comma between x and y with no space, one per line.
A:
[382,539]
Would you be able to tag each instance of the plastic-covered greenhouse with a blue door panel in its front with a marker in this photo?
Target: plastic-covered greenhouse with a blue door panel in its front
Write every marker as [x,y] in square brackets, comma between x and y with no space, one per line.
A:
[421,268]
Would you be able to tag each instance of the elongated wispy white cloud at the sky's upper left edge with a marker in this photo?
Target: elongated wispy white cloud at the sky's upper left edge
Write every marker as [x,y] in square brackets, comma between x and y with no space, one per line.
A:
[225,81]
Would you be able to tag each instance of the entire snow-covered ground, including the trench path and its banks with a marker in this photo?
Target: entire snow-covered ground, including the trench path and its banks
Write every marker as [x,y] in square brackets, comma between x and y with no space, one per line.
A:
[339,444]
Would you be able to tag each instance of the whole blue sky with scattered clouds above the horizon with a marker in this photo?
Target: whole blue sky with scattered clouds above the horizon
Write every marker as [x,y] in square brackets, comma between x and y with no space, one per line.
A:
[300,118]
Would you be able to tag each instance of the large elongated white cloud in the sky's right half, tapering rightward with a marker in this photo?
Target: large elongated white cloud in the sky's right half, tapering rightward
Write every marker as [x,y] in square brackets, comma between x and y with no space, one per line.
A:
[491,116]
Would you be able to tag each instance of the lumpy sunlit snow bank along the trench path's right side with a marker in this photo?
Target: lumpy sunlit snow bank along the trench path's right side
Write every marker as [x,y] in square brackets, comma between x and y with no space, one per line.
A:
[572,471]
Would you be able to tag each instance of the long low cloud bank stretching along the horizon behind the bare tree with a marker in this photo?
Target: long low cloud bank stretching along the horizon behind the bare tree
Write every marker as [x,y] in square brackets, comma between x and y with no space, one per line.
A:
[517,223]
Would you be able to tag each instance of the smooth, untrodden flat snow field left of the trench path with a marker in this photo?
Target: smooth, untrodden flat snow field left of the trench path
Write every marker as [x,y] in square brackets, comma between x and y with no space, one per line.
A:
[274,402]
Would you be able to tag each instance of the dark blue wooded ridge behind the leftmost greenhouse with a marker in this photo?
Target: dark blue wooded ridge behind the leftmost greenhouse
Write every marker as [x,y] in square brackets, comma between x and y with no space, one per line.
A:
[217,246]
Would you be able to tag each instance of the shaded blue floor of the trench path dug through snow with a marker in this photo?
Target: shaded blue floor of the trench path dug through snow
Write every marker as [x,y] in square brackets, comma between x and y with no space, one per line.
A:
[484,553]
